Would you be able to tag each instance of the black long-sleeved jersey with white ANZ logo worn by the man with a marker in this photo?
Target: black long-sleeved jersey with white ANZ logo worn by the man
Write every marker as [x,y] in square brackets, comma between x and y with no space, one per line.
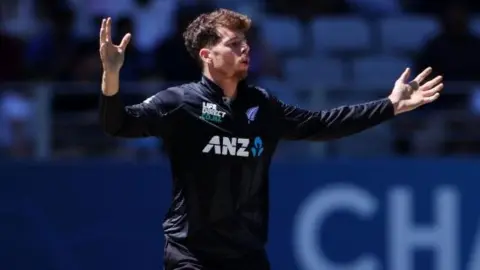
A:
[220,152]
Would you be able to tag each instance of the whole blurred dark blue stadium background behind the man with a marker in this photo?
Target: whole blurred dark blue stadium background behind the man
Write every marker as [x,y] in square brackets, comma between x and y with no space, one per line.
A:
[401,196]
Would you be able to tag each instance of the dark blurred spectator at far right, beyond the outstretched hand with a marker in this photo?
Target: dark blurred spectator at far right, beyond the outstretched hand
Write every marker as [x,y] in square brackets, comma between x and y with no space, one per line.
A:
[453,54]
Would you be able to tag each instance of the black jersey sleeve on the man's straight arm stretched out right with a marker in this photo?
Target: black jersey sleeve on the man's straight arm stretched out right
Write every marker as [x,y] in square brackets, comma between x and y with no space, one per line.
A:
[300,124]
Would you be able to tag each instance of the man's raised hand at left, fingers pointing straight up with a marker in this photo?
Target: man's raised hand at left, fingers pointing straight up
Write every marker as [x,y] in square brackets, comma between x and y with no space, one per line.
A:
[112,55]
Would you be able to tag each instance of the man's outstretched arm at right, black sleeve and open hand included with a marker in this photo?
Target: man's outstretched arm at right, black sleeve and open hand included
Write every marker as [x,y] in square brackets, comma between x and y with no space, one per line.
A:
[298,124]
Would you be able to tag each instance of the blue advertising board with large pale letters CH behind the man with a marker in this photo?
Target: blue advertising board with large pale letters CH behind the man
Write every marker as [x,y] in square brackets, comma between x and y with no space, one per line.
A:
[336,214]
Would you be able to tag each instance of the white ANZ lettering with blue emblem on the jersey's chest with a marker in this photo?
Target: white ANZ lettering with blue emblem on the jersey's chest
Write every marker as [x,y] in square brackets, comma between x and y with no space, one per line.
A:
[231,146]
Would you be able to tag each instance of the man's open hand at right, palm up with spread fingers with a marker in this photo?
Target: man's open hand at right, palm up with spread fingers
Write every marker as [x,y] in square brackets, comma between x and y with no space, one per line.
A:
[409,95]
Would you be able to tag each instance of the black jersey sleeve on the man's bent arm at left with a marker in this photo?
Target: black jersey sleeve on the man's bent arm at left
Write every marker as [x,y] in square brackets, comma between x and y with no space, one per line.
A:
[149,118]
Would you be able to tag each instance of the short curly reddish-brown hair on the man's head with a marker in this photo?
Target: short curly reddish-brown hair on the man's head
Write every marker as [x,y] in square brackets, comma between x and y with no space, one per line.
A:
[202,32]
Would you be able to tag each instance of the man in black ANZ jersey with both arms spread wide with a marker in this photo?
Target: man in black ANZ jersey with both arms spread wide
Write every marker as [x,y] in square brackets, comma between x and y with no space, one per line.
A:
[220,134]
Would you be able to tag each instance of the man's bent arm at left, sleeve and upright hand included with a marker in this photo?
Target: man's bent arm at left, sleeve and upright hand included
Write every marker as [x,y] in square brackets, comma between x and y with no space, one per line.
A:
[146,119]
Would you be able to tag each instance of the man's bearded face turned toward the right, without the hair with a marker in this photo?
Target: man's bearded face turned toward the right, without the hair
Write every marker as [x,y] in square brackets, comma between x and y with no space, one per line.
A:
[230,56]
